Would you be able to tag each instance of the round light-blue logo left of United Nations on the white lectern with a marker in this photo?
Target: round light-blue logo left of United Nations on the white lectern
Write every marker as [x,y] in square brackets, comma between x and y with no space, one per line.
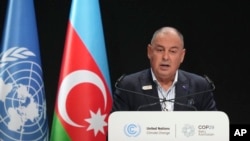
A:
[132,130]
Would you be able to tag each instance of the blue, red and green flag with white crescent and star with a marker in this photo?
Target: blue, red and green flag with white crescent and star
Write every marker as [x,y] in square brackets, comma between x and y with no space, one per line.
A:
[84,93]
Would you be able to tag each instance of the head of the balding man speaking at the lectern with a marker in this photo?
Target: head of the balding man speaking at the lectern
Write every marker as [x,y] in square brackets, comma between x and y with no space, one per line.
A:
[166,52]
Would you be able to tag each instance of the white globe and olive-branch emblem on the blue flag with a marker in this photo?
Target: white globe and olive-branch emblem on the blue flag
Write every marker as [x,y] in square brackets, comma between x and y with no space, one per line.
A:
[22,99]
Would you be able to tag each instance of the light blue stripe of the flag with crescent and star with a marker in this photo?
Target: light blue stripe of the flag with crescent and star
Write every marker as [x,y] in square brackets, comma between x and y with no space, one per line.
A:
[86,19]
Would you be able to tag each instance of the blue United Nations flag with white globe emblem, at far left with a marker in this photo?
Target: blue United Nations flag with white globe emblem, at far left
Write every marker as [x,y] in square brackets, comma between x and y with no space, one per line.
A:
[22,98]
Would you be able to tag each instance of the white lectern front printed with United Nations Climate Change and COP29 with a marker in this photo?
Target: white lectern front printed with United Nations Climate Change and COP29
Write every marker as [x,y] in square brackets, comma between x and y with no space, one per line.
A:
[168,126]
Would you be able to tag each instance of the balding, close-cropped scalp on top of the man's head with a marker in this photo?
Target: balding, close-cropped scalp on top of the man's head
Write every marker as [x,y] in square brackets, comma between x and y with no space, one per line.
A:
[168,30]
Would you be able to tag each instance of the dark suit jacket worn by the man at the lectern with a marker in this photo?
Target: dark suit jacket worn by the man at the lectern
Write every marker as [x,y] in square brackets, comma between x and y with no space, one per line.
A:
[187,84]
